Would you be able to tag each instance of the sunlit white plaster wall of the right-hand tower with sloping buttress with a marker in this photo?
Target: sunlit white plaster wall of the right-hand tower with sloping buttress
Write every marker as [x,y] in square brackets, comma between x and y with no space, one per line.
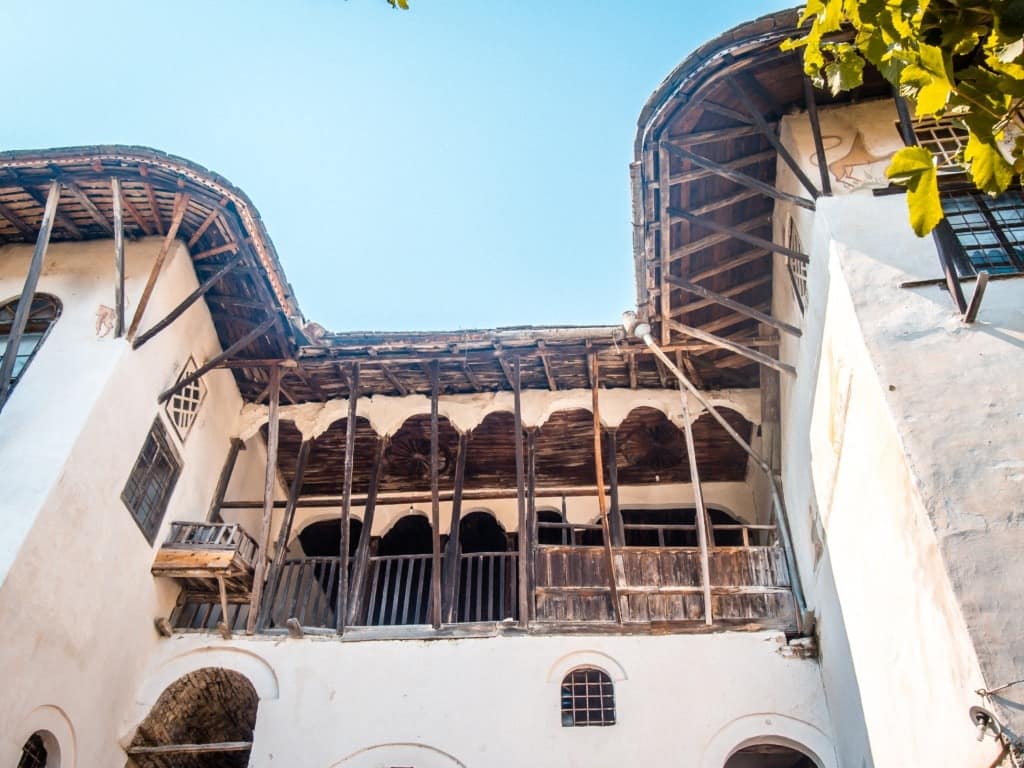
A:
[910,423]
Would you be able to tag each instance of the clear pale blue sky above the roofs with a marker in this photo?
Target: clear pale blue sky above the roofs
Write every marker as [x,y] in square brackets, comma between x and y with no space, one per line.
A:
[459,165]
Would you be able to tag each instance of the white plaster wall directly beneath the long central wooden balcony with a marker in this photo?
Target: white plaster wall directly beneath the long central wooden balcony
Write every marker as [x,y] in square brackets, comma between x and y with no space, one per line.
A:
[495,702]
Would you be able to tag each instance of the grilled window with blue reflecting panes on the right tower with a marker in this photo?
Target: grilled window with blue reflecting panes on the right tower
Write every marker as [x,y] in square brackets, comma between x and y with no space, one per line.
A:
[991,231]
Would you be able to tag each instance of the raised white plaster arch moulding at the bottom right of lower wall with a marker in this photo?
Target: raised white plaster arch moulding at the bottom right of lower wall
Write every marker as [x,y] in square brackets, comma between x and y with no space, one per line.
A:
[770,729]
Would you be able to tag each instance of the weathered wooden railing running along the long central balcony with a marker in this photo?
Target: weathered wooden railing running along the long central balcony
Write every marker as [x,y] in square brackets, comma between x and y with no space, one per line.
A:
[572,586]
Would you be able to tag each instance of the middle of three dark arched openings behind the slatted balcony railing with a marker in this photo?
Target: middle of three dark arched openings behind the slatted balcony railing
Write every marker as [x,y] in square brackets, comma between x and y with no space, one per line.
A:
[401,573]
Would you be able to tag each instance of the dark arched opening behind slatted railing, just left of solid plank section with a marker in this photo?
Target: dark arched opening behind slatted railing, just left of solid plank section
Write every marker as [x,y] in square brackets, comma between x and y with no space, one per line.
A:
[487,571]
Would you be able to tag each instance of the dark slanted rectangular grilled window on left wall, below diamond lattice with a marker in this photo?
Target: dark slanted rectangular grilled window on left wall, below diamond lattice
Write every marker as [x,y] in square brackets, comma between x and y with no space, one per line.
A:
[152,482]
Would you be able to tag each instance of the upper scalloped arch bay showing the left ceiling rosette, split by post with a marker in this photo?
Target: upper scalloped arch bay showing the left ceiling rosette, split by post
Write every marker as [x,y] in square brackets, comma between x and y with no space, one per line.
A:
[407,460]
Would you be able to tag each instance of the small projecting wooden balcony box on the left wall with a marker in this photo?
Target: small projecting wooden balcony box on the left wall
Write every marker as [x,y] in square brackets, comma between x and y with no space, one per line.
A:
[204,554]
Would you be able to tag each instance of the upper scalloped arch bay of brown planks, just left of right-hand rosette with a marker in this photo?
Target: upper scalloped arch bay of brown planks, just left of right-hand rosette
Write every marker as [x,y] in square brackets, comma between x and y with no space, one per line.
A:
[566,450]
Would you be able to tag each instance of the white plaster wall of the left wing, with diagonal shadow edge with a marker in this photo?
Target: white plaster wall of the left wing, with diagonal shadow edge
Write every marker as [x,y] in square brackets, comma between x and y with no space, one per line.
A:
[77,603]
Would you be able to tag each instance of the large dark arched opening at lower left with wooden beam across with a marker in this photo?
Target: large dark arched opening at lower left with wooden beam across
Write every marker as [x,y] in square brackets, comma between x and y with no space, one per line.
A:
[212,708]
